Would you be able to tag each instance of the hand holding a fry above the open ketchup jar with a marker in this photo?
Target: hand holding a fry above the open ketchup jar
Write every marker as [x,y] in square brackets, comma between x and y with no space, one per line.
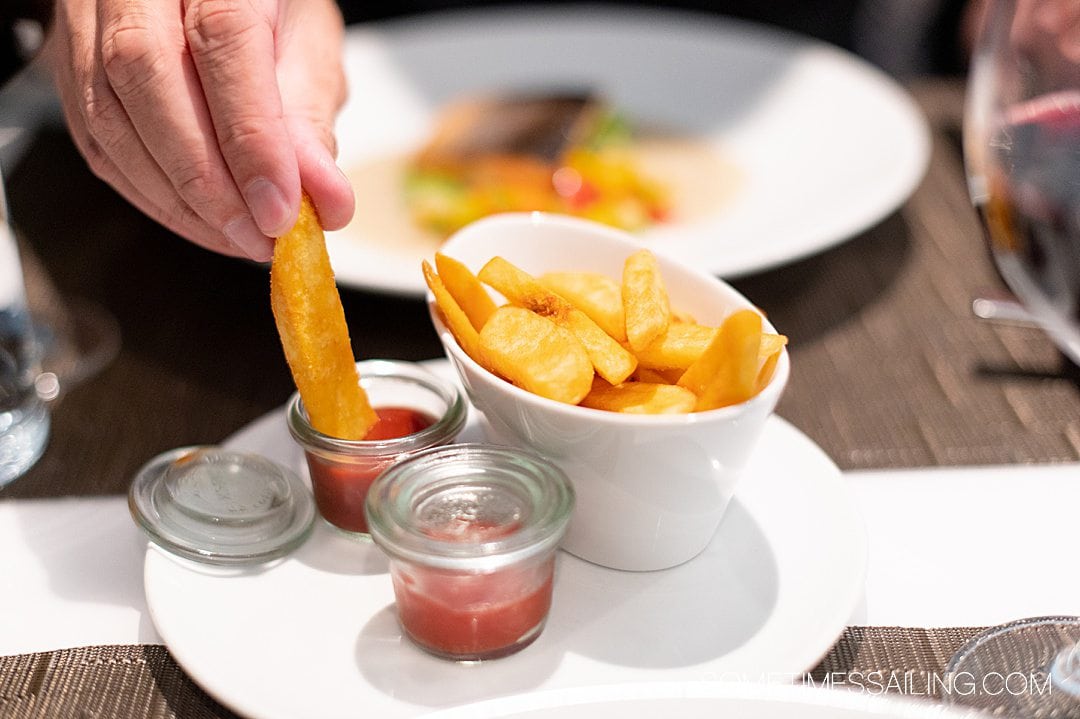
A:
[208,115]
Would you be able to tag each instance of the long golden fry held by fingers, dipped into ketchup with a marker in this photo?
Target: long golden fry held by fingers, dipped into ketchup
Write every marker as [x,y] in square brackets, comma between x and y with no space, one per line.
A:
[315,336]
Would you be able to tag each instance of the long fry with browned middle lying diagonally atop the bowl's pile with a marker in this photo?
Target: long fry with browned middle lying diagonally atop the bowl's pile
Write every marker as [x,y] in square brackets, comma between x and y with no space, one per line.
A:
[612,361]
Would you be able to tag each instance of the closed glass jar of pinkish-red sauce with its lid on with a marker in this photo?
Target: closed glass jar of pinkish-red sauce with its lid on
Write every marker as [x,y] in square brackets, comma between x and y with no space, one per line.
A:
[471,532]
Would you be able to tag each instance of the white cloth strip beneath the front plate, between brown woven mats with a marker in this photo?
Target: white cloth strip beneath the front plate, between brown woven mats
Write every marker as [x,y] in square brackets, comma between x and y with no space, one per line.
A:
[948,548]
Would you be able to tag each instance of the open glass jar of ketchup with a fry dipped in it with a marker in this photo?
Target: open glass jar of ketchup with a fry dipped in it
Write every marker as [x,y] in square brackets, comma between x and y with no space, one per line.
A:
[343,470]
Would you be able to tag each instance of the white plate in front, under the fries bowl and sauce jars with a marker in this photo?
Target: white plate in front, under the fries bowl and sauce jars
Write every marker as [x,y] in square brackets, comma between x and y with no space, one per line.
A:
[316,635]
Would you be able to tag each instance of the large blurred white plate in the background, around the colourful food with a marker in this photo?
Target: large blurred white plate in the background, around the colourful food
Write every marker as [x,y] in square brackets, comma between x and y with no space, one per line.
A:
[821,144]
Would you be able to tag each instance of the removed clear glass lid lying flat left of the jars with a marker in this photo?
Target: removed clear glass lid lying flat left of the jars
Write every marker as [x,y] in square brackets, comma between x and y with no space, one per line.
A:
[221,507]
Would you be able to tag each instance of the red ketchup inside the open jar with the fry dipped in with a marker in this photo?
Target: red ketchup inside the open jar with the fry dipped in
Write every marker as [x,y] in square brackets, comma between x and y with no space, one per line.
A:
[341,485]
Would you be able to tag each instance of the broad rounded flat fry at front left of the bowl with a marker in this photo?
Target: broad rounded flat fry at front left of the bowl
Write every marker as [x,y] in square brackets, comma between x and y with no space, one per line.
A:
[536,355]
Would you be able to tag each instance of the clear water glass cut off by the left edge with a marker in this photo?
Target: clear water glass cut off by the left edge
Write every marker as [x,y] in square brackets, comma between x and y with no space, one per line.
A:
[24,417]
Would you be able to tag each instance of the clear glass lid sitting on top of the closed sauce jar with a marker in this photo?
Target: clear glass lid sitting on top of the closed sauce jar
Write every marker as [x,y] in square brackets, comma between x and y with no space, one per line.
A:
[470,507]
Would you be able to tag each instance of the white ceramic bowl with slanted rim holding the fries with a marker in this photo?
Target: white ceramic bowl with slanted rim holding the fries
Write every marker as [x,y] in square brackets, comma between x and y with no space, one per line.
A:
[651,490]
